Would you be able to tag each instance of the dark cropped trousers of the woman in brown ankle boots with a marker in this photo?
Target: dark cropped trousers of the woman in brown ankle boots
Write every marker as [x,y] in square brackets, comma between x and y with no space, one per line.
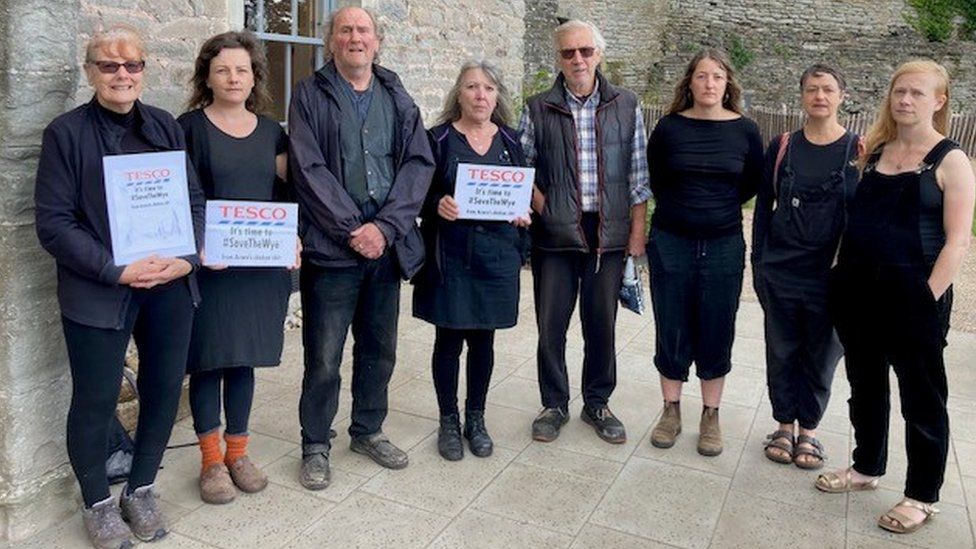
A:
[695,289]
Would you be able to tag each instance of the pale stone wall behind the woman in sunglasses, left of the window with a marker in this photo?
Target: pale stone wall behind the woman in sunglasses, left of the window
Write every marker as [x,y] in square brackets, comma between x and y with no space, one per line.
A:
[41,51]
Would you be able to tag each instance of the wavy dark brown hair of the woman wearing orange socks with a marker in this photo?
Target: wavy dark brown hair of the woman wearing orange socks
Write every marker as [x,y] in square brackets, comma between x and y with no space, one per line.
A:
[202,95]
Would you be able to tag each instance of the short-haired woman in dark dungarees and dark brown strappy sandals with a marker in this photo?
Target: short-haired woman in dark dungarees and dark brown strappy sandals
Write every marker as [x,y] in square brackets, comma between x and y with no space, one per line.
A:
[799,216]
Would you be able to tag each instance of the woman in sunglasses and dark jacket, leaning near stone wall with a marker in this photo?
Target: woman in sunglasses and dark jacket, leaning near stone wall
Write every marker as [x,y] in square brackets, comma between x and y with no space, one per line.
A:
[103,303]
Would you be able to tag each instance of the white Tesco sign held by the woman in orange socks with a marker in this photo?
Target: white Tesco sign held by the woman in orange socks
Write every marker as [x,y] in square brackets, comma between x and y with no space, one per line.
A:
[251,234]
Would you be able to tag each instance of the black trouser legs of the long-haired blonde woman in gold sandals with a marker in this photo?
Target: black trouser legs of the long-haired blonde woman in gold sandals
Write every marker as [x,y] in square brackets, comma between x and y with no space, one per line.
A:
[890,318]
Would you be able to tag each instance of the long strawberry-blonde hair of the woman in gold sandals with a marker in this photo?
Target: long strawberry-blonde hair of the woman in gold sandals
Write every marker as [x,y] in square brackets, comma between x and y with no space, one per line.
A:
[885,129]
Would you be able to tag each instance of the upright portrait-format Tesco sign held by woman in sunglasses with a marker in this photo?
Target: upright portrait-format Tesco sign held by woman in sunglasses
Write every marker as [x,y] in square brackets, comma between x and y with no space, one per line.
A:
[148,205]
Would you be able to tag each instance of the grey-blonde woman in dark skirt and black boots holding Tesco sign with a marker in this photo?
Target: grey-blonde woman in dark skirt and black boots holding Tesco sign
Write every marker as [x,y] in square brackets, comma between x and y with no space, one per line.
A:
[469,286]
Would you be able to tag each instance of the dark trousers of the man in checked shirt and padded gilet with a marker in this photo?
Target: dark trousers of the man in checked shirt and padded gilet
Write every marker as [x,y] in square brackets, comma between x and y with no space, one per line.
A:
[558,279]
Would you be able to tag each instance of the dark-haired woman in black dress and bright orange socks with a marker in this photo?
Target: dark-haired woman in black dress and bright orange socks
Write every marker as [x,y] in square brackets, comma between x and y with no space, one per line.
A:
[239,155]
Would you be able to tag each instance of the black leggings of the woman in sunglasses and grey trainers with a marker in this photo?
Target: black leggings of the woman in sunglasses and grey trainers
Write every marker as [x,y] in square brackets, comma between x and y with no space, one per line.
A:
[160,320]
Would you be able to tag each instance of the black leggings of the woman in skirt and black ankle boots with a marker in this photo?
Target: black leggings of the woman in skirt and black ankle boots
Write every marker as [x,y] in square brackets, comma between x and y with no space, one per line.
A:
[446,363]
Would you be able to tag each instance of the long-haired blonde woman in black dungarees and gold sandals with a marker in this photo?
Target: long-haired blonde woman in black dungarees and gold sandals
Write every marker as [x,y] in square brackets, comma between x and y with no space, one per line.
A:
[891,294]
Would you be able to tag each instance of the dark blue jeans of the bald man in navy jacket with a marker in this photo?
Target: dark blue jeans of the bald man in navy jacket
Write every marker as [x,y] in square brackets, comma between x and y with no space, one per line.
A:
[367,298]
